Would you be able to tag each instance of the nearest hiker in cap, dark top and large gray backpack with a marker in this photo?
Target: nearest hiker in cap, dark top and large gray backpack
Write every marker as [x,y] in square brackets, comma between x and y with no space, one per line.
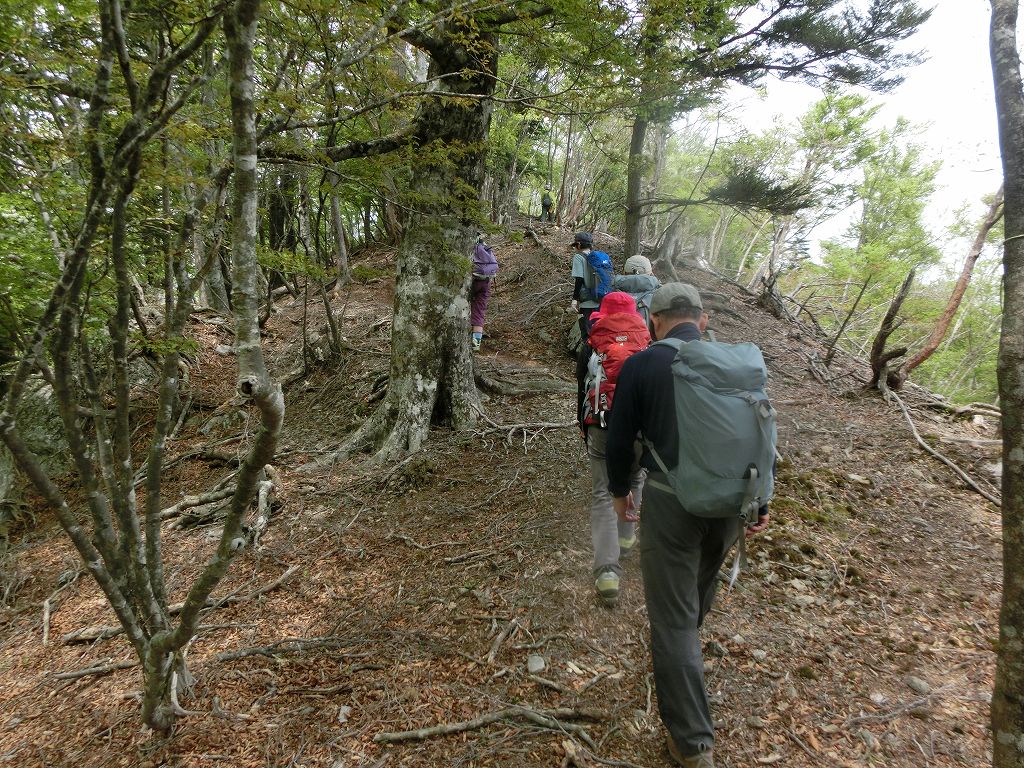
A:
[709,437]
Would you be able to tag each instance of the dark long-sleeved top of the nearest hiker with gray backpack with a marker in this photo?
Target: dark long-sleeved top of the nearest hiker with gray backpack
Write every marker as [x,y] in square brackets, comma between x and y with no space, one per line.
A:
[646,403]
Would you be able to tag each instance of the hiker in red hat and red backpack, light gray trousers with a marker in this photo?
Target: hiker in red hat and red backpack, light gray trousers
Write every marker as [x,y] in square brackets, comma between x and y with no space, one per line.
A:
[618,331]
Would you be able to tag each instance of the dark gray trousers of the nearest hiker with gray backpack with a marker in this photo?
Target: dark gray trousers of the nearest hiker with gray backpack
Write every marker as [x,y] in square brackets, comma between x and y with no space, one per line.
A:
[680,557]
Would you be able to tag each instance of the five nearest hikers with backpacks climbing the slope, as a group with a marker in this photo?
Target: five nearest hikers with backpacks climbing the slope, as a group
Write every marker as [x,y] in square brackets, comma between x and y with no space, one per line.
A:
[678,426]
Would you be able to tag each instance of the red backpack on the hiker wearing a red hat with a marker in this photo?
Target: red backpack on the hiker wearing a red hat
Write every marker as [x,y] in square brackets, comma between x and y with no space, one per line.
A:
[614,338]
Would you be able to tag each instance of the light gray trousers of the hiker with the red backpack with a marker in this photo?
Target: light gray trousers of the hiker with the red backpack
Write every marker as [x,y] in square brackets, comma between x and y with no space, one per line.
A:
[606,528]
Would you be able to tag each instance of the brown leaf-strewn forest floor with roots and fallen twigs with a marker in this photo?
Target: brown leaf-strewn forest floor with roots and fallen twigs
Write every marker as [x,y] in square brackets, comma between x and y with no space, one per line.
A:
[413,595]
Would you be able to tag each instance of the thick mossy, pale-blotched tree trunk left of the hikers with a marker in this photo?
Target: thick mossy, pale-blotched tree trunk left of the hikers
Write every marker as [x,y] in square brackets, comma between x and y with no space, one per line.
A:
[432,373]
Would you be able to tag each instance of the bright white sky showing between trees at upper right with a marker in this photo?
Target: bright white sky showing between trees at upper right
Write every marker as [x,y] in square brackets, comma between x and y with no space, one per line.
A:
[951,95]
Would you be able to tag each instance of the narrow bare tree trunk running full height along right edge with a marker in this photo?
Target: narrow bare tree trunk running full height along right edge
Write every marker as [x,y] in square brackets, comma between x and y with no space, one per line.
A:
[1008,697]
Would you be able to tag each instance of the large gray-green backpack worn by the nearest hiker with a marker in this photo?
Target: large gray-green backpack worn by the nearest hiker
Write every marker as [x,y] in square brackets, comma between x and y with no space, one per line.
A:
[728,430]
